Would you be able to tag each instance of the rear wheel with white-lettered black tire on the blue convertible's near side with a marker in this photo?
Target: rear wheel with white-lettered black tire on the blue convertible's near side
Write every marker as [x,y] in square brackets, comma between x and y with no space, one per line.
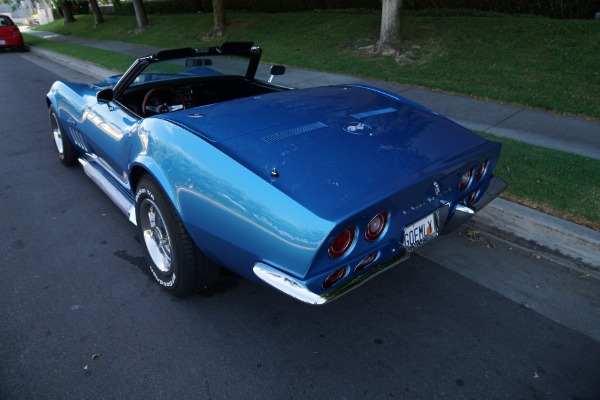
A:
[175,261]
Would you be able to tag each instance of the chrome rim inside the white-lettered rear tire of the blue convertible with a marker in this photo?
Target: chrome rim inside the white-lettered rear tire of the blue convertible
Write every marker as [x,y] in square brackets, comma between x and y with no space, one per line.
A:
[156,235]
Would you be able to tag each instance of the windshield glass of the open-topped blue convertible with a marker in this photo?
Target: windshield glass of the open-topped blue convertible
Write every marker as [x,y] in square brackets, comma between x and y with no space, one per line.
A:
[198,66]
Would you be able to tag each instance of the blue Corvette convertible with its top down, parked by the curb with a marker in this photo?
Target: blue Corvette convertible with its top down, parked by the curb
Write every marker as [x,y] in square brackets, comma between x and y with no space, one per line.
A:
[311,191]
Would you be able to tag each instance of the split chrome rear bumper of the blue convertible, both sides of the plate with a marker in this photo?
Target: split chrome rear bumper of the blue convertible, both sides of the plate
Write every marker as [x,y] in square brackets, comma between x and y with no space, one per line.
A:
[299,290]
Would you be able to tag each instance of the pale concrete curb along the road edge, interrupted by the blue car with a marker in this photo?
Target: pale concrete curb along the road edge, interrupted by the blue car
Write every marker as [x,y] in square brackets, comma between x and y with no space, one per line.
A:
[531,227]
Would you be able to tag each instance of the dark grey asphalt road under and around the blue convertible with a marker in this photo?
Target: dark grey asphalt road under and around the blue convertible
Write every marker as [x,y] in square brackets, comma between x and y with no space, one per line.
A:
[80,317]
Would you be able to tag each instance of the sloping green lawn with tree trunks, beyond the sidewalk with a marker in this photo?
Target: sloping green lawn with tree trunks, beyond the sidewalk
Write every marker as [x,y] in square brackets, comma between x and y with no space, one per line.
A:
[536,62]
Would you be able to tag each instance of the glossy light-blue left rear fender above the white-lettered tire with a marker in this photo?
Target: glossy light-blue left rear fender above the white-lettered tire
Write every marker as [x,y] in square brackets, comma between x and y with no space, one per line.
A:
[234,216]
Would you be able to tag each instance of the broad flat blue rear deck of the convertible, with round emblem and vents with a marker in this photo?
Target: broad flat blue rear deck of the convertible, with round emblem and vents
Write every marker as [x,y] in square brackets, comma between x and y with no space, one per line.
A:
[333,147]
